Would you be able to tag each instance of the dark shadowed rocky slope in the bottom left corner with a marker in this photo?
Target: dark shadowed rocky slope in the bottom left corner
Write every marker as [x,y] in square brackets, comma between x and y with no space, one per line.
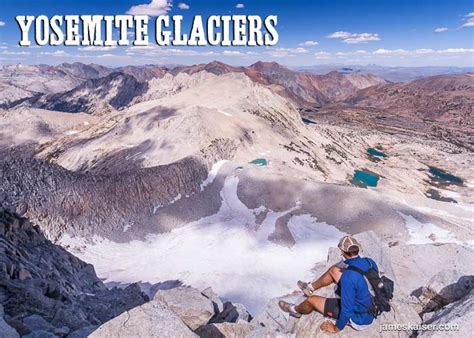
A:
[45,289]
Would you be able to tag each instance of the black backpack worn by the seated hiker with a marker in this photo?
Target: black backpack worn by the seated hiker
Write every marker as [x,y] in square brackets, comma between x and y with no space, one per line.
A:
[382,288]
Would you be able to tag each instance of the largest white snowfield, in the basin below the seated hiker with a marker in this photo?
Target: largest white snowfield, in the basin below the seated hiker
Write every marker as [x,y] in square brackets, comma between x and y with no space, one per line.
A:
[227,251]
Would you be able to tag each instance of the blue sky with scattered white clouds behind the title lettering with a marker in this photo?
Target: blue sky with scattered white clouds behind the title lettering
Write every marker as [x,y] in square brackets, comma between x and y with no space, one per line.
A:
[391,33]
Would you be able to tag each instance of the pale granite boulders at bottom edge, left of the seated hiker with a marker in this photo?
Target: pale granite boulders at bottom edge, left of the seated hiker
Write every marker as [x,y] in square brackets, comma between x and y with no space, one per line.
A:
[181,312]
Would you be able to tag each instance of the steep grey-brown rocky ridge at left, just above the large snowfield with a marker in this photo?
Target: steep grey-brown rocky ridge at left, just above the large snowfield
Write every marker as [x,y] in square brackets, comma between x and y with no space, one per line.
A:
[77,197]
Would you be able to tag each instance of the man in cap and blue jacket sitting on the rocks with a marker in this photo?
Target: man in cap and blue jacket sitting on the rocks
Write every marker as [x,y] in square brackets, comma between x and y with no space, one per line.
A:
[353,306]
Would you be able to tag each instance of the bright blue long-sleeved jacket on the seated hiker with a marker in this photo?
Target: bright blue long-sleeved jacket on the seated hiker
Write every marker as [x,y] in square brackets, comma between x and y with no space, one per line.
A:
[355,295]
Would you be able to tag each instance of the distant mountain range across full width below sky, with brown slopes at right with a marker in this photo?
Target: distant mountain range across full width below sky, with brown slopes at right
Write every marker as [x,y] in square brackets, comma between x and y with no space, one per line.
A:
[93,88]
